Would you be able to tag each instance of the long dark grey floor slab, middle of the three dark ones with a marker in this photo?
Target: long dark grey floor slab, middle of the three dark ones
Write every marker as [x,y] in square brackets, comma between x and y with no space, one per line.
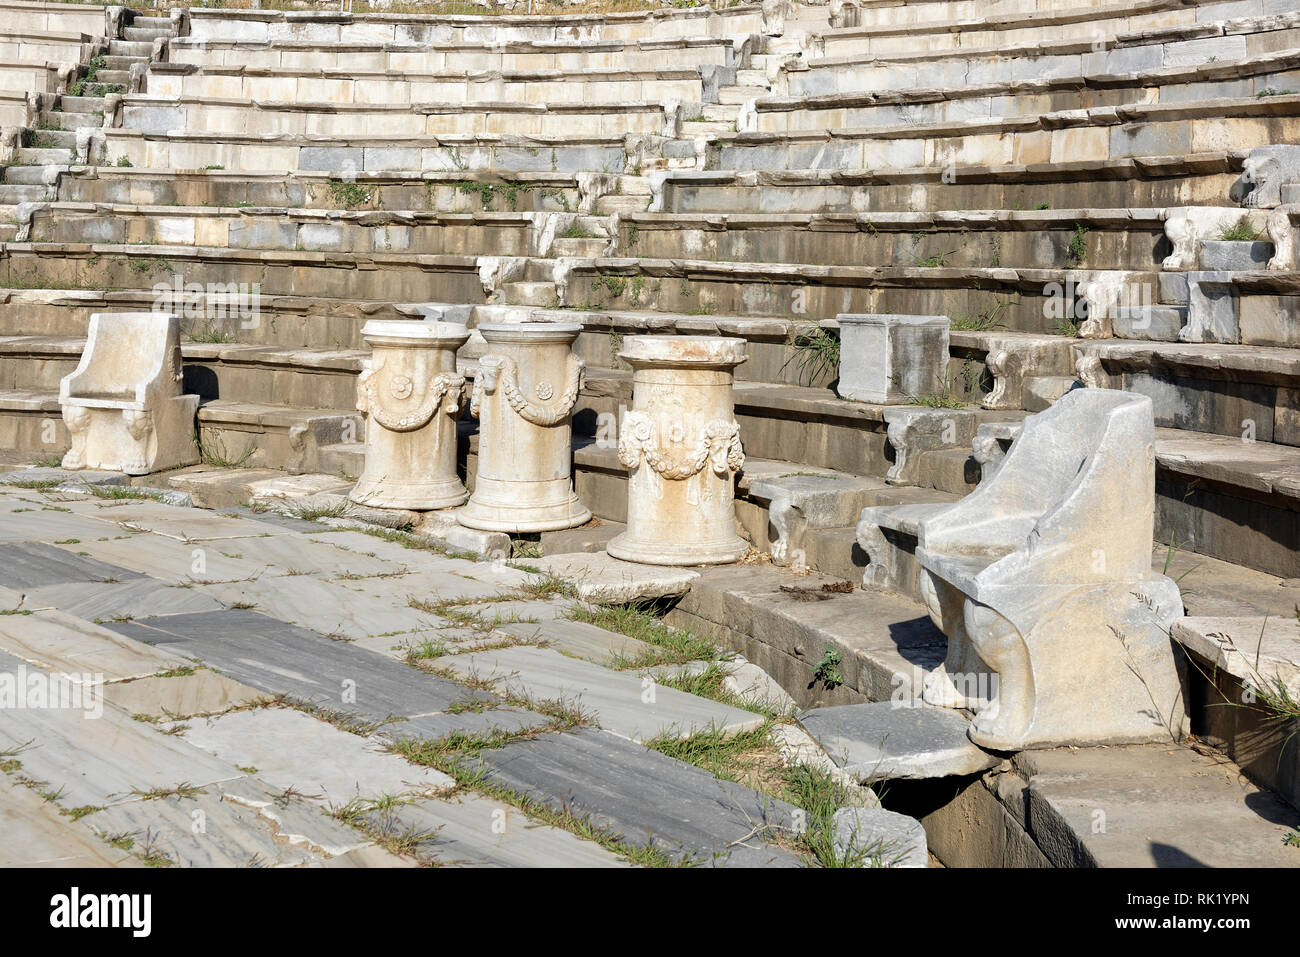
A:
[285,660]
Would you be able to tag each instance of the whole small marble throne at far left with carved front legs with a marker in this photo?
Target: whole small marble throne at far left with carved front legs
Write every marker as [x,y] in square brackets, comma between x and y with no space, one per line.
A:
[123,405]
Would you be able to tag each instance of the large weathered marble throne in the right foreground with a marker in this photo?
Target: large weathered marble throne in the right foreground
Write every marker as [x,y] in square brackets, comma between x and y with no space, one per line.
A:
[1059,631]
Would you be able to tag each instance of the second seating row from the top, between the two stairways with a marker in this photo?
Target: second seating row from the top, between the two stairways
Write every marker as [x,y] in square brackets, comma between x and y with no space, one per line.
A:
[444,58]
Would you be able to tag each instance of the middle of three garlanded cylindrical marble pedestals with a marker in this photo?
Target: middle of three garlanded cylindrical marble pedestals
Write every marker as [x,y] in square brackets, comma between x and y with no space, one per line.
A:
[525,395]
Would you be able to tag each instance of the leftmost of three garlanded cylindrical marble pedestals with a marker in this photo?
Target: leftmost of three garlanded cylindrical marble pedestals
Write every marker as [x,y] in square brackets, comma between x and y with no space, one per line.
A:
[410,395]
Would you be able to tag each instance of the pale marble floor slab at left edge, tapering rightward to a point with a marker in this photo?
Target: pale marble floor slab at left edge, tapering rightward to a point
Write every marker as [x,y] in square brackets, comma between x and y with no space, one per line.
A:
[63,643]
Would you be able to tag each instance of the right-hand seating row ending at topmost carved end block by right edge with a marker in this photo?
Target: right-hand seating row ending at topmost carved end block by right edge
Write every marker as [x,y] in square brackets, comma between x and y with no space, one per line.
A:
[1143,181]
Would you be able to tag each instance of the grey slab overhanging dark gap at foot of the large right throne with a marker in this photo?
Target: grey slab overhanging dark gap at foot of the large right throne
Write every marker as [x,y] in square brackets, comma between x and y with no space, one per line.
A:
[886,739]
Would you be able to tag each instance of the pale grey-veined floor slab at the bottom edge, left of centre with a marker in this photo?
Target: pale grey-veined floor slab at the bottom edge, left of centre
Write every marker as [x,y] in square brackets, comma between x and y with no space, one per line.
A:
[207,832]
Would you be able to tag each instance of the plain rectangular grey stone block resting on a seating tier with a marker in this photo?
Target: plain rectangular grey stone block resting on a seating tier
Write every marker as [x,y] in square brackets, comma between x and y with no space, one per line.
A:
[892,360]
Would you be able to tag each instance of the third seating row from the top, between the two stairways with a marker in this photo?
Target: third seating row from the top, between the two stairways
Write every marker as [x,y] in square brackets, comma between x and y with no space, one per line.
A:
[353,86]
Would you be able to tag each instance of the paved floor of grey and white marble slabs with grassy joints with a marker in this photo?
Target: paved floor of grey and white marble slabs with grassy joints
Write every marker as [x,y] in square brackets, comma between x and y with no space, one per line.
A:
[183,722]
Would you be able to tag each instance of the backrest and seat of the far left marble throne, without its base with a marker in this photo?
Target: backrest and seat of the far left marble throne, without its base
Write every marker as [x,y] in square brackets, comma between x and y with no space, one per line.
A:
[131,362]
